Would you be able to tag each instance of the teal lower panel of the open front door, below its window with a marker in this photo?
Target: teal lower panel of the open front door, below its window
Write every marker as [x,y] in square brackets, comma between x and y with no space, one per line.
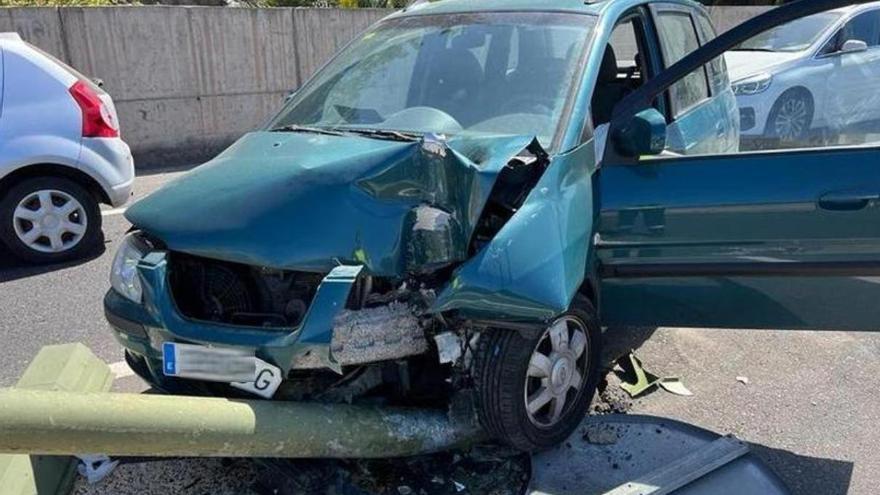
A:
[762,212]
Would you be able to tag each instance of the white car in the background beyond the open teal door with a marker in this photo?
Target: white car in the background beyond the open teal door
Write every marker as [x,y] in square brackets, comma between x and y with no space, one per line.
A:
[810,81]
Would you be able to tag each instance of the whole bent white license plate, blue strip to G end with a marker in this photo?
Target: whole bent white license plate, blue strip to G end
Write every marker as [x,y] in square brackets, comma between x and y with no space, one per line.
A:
[239,368]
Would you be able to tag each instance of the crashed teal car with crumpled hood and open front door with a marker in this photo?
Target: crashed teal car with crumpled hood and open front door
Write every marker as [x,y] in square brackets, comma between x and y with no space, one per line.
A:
[453,208]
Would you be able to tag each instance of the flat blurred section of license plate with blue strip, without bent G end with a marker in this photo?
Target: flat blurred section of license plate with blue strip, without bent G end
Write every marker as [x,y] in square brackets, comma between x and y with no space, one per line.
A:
[215,364]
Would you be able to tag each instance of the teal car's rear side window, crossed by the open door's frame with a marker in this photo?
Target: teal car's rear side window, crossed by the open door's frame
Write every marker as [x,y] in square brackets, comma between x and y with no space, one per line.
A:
[678,38]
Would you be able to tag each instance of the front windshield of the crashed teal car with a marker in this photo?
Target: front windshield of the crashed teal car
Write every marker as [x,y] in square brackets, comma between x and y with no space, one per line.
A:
[492,73]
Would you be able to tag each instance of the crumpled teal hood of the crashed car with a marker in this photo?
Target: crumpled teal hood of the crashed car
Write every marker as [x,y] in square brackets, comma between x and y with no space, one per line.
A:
[310,202]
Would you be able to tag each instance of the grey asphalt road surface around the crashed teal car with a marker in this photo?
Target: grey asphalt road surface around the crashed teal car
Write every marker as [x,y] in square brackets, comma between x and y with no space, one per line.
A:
[810,406]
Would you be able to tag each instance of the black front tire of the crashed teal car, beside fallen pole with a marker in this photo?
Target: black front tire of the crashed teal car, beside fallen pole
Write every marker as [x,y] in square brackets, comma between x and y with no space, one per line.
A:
[502,374]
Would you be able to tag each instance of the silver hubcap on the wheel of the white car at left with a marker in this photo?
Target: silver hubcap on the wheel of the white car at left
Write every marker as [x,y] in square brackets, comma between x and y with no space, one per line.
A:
[49,221]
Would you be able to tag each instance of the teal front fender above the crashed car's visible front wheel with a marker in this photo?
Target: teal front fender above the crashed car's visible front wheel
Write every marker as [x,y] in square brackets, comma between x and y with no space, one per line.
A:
[534,266]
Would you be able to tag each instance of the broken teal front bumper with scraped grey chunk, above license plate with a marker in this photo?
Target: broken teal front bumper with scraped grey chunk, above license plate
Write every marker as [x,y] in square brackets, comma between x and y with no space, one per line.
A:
[329,336]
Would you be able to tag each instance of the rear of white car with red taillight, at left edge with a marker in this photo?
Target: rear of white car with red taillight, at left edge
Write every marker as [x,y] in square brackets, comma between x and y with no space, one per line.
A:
[60,156]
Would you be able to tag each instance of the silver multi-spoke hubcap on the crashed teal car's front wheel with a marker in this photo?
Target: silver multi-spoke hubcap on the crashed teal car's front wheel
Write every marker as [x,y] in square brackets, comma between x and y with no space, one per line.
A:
[557,371]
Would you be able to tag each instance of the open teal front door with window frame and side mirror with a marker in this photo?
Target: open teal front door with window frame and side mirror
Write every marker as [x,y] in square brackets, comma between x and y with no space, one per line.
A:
[787,237]
